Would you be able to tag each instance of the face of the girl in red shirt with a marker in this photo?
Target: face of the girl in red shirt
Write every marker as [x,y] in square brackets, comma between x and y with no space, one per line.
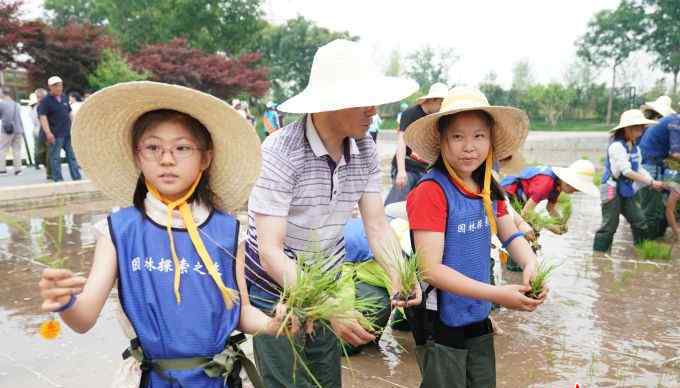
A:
[466,143]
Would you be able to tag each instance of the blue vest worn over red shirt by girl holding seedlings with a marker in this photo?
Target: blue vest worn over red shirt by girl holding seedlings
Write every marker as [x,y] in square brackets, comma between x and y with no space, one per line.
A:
[467,247]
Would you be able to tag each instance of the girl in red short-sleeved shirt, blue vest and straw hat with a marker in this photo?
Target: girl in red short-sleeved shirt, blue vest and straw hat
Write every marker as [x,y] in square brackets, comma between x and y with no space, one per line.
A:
[453,211]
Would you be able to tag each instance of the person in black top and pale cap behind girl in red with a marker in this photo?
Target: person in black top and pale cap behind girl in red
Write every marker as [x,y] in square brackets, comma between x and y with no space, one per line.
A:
[408,167]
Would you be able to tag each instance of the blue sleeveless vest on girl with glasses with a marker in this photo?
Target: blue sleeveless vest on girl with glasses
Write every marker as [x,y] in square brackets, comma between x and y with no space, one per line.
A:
[200,325]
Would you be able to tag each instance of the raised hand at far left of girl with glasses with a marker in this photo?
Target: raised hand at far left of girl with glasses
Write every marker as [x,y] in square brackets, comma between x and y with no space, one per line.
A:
[57,286]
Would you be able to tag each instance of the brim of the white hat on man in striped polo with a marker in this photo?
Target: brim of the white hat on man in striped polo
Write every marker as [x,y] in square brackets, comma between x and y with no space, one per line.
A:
[343,95]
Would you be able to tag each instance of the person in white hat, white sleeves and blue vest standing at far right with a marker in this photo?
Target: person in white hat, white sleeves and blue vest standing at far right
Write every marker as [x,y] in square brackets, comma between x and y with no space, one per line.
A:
[623,175]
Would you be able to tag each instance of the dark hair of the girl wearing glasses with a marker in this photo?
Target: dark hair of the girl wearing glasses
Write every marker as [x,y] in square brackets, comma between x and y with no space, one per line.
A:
[203,194]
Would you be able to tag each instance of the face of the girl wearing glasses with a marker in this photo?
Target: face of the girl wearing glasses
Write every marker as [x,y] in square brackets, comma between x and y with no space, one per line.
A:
[172,173]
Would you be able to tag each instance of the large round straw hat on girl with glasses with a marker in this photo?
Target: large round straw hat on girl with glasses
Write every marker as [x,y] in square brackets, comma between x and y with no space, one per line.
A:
[102,136]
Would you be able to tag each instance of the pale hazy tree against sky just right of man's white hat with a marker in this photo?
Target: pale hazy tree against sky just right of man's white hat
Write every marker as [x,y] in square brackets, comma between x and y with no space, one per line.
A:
[428,66]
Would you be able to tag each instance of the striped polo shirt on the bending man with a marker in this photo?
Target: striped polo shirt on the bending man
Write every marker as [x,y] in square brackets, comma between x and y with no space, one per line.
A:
[301,182]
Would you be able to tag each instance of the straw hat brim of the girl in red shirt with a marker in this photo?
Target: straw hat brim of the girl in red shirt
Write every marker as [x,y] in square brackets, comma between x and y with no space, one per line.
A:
[511,127]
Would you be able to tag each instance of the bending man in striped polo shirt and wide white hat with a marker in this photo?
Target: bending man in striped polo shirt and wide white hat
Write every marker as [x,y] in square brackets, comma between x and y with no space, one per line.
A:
[314,172]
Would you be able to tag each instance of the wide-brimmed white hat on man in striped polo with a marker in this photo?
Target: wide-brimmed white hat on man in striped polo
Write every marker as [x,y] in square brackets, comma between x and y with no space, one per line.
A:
[344,76]
